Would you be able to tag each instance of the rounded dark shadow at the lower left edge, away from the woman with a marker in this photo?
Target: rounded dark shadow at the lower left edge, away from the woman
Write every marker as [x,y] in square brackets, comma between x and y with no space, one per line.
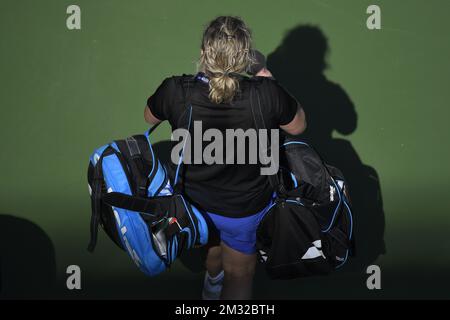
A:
[27,260]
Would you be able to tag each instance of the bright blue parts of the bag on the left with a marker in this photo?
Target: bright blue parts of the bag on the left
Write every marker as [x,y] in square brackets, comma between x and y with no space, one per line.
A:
[133,231]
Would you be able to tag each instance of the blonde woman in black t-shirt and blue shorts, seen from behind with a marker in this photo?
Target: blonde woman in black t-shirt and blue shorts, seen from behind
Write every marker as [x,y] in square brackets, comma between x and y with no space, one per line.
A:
[234,197]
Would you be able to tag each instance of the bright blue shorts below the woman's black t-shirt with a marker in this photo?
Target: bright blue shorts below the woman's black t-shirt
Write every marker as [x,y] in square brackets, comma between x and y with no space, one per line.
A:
[238,233]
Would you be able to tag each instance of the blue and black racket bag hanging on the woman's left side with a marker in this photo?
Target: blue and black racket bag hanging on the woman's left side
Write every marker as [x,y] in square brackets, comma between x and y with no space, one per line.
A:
[134,202]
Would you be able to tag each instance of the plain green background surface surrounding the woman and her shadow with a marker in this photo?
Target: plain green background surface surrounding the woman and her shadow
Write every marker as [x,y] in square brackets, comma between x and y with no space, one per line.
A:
[65,92]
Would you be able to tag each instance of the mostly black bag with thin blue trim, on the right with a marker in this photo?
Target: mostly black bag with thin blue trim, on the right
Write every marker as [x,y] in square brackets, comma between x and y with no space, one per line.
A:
[309,229]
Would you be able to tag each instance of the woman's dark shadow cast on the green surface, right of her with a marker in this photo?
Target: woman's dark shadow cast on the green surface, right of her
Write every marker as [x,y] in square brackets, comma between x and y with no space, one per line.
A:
[298,64]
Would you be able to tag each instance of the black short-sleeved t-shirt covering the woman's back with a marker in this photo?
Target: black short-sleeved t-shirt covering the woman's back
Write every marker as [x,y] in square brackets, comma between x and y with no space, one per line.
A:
[223,175]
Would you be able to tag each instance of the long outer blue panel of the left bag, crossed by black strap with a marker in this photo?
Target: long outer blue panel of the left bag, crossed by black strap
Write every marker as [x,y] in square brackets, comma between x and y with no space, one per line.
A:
[133,230]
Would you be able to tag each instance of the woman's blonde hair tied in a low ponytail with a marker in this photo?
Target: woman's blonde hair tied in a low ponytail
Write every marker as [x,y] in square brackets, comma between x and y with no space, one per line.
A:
[226,51]
